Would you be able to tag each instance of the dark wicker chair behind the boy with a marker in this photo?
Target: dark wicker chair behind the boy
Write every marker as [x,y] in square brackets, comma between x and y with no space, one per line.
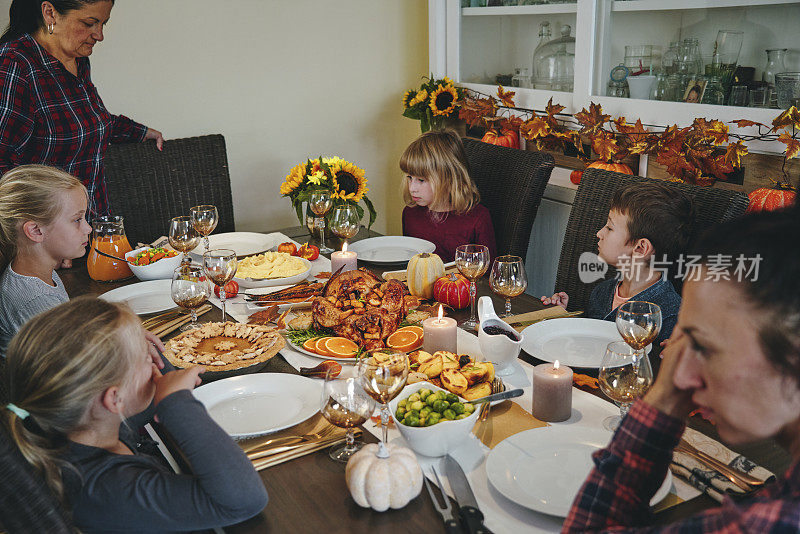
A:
[590,210]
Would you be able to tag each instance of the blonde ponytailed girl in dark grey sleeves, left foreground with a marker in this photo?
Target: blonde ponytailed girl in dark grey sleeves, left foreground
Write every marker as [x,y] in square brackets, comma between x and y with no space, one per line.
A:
[74,373]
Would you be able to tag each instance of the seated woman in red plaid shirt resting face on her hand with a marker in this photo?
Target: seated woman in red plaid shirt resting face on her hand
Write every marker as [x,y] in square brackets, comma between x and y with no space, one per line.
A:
[735,355]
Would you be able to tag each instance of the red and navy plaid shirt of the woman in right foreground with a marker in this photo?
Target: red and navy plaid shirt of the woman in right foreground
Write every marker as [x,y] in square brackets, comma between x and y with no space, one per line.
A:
[627,474]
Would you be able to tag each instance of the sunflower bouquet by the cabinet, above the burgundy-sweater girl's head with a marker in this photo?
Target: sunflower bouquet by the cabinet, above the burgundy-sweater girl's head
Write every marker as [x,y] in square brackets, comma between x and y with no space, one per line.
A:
[433,102]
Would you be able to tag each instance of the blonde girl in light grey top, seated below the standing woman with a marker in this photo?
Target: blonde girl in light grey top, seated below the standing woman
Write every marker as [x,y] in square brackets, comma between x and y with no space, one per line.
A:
[42,223]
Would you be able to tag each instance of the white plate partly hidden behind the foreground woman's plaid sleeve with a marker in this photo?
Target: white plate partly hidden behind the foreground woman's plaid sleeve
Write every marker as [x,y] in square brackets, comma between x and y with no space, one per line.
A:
[544,468]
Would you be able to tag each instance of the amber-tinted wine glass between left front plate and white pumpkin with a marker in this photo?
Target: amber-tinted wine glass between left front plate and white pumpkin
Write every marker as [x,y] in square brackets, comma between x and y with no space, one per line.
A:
[345,404]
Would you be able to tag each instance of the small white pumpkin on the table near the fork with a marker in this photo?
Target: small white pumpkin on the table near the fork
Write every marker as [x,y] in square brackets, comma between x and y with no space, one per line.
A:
[380,481]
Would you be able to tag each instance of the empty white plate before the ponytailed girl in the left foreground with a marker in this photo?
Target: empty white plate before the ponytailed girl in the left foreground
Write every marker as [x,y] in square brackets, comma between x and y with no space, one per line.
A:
[253,405]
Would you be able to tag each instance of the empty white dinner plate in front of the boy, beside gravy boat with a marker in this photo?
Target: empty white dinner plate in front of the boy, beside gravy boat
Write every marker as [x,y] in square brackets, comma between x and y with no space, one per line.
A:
[576,342]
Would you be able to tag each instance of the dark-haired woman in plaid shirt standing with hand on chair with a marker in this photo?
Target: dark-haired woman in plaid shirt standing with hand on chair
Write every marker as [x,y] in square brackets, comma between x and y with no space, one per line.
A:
[50,111]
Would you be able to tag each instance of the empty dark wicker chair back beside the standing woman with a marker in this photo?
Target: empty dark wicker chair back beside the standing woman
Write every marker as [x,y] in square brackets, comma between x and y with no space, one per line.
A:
[148,187]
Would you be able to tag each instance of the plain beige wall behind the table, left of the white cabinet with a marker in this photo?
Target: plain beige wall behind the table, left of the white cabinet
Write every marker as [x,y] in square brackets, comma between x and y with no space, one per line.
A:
[282,80]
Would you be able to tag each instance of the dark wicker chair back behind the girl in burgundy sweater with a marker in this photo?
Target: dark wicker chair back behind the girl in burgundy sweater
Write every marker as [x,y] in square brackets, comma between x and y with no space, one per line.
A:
[511,183]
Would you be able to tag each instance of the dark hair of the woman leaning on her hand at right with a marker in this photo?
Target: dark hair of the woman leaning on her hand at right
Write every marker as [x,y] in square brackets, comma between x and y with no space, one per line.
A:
[768,242]
